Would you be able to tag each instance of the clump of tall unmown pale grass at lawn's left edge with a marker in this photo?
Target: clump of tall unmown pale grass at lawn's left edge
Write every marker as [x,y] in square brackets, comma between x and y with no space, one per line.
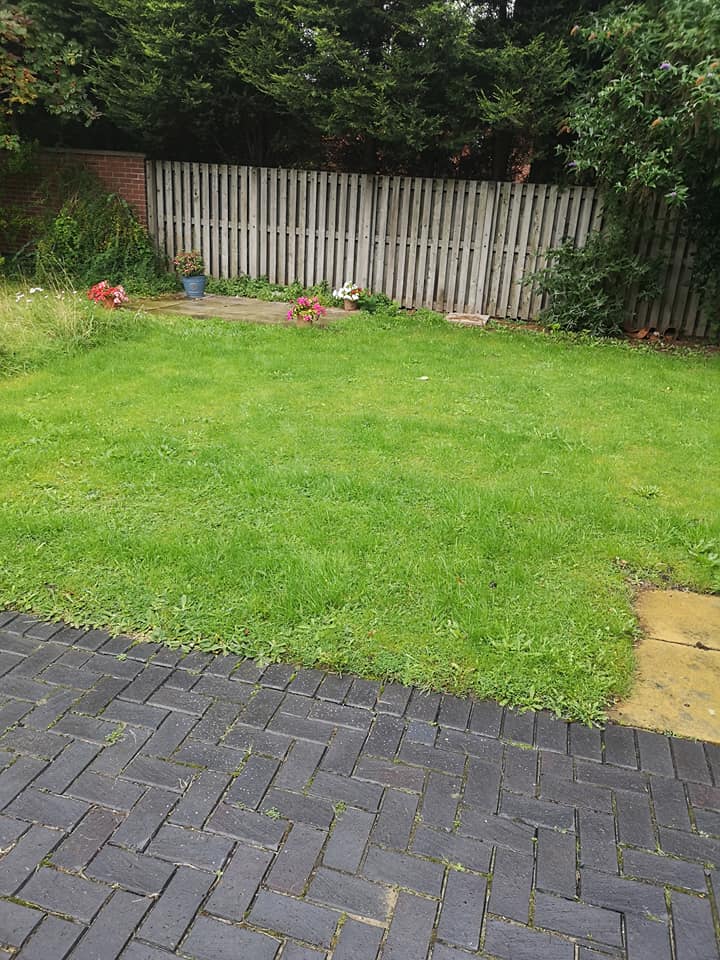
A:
[38,323]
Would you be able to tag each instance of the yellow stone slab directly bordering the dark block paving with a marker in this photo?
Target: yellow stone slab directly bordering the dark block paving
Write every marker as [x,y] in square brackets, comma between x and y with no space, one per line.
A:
[677,689]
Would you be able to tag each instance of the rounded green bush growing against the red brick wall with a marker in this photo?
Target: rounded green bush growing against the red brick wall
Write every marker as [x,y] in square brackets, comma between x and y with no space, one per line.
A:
[95,236]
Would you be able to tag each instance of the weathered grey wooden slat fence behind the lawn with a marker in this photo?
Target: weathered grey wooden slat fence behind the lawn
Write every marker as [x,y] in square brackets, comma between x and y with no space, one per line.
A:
[454,245]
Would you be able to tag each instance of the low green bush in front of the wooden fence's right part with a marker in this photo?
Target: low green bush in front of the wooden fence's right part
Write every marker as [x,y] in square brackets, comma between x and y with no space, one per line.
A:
[588,285]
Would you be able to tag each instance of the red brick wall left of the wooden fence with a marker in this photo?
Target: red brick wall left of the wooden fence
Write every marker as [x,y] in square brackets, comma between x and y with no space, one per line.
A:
[121,173]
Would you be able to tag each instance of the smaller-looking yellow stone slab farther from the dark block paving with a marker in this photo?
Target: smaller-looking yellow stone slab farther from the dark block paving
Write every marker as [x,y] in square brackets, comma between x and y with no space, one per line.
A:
[678,617]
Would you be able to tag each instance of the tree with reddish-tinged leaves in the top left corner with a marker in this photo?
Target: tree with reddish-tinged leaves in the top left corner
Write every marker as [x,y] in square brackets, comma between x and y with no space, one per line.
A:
[38,68]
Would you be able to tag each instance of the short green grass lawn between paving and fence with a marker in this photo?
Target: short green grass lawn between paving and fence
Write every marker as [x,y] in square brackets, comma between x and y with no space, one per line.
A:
[462,509]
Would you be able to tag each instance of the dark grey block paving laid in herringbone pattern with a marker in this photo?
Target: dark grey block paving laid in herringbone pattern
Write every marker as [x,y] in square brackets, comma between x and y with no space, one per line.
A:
[157,805]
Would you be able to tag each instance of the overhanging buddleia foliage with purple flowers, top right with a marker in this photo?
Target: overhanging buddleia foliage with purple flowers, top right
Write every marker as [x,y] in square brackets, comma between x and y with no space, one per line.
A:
[649,119]
